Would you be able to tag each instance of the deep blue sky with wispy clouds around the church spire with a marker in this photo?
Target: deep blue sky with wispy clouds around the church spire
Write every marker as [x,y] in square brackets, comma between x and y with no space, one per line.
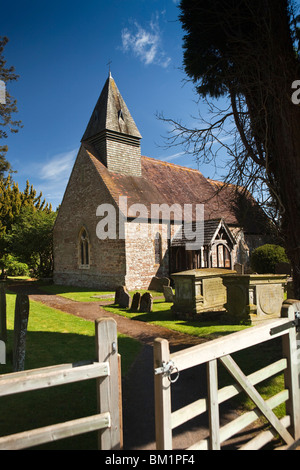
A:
[61,49]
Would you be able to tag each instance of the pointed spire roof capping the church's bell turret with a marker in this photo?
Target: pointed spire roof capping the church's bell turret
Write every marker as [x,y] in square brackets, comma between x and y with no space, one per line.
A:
[111,113]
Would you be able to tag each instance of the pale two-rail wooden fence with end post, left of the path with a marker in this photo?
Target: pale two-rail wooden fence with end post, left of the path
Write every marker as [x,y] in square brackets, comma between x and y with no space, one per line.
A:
[107,372]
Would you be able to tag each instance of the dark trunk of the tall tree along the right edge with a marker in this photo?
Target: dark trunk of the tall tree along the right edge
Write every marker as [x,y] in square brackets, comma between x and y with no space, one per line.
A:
[275,120]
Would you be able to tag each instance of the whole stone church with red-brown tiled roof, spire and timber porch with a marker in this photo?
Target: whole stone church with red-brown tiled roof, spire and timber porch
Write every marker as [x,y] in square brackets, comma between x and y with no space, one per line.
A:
[109,170]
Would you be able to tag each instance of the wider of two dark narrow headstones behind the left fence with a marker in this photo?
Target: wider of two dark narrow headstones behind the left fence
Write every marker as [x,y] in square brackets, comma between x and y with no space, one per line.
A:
[20,331]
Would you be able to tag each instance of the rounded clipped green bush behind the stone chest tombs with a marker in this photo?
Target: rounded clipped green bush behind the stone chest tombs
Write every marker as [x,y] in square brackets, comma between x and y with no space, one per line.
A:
[265,258]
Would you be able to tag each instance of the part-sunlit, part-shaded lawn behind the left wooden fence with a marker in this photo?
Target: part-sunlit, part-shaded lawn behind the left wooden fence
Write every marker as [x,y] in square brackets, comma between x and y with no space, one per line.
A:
[55,337]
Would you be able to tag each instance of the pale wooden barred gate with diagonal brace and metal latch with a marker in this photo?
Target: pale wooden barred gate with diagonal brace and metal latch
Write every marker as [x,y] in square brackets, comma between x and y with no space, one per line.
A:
[167,365]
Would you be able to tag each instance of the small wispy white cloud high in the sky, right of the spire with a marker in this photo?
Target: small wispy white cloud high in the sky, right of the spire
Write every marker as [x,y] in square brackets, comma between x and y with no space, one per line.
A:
[146,43]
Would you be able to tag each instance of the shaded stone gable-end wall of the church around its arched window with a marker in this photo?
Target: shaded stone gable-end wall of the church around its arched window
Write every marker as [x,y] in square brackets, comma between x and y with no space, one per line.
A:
[107,266]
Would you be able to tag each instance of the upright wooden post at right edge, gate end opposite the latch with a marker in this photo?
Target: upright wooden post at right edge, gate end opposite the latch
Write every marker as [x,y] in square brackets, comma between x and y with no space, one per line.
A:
[292,373]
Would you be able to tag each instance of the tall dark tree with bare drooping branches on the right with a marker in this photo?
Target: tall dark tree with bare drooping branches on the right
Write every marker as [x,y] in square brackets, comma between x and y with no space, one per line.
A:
[247,51]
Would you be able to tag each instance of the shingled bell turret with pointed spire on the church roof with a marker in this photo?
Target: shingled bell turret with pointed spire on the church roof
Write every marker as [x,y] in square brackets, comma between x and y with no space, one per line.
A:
[113,133]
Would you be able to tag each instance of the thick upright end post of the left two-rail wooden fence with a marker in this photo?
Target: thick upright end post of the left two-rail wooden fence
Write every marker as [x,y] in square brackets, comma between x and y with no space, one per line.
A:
[108,388]
